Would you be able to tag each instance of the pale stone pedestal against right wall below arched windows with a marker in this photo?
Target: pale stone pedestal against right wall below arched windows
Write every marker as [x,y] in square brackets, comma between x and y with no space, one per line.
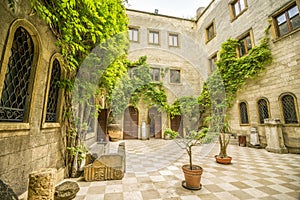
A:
[275,142]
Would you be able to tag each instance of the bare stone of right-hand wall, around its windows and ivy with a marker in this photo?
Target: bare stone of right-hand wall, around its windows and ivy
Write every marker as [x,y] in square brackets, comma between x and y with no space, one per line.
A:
[283,75]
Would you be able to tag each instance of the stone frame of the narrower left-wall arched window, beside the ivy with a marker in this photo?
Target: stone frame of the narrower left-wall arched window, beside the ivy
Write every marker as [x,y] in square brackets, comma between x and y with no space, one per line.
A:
[45,124]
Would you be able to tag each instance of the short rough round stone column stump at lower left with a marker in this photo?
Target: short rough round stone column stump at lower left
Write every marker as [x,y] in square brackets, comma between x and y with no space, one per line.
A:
[42,184]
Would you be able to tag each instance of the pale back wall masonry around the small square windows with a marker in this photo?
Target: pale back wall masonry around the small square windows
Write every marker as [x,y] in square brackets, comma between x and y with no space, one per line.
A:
[186,57]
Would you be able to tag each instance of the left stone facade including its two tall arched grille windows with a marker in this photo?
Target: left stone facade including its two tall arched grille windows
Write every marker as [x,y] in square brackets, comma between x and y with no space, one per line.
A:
[31,134]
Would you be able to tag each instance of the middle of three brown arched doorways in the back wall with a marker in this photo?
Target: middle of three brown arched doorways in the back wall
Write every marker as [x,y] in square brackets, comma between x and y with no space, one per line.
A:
[154,118]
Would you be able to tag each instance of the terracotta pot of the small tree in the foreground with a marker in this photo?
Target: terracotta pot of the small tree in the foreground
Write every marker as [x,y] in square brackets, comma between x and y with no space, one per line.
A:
[192,177]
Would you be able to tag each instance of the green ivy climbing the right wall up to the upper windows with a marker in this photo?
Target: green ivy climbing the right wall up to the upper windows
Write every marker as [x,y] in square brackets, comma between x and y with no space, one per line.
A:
[232,73]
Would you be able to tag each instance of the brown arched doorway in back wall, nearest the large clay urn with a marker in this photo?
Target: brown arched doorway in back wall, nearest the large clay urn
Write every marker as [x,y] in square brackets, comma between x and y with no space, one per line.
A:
[131,118]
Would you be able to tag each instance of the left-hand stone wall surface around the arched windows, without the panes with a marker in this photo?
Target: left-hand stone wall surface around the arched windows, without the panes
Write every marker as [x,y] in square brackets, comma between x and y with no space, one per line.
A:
[29,146]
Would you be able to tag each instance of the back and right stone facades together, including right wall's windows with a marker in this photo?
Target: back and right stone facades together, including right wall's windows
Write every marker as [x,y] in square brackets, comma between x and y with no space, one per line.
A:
[274,94]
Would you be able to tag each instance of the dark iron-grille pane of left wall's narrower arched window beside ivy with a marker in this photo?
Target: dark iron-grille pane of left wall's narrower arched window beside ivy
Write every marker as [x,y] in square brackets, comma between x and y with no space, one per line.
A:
[51,114]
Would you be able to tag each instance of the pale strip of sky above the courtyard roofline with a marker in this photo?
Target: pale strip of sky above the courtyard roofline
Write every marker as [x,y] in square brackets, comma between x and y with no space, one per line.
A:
[177,8]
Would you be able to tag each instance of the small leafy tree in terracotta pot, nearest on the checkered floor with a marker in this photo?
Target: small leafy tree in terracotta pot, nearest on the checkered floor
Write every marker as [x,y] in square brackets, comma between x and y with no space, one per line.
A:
[192,173]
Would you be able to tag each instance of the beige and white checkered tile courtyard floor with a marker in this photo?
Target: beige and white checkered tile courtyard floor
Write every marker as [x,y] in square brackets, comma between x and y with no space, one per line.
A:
[154,172]
